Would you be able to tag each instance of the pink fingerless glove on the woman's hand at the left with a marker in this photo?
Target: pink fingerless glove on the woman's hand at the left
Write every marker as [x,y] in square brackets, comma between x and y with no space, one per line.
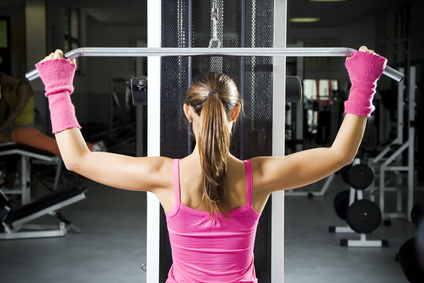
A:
[57,76]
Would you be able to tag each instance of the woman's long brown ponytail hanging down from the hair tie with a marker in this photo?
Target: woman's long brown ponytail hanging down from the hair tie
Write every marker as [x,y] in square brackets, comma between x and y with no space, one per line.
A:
[214,143]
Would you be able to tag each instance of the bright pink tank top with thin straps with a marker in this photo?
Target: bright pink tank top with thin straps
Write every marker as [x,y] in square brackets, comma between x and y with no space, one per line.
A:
[212,250]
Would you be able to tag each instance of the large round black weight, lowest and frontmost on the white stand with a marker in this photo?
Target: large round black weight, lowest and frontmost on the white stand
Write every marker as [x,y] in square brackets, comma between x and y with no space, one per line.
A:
[363,216]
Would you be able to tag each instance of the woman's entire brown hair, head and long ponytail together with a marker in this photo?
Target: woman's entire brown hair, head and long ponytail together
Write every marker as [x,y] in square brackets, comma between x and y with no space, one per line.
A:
[213,96]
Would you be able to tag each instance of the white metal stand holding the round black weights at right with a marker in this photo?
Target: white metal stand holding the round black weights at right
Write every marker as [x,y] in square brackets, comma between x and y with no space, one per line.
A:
[355,195]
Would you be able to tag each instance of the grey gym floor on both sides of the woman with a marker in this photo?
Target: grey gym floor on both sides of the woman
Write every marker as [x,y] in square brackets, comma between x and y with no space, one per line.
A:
[112,246]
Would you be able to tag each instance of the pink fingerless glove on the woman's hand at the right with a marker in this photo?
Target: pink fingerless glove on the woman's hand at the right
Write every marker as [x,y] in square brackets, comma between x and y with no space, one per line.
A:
[364,71]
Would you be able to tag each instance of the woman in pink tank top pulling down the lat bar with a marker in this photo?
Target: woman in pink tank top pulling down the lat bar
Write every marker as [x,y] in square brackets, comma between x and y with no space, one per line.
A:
[212,200]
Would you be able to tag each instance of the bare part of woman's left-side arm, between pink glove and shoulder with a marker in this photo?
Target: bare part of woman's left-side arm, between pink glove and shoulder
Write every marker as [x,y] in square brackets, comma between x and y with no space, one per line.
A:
[115,170]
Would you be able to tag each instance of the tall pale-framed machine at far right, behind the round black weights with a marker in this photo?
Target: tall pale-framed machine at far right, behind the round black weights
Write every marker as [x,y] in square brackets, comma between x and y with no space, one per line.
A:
[389,161]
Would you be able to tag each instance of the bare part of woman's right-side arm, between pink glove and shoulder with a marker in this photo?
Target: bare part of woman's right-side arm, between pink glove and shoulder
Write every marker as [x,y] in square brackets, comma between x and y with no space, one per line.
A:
[308,166]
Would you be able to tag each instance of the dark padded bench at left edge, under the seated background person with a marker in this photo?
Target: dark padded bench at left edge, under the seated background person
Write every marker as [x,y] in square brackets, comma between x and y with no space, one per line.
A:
[26,153]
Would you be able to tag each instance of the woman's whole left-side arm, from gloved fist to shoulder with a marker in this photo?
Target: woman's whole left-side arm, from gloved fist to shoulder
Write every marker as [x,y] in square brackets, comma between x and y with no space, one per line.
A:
[120,171]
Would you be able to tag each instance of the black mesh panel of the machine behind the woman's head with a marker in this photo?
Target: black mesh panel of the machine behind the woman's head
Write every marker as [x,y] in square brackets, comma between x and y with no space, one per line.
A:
[243,24]
